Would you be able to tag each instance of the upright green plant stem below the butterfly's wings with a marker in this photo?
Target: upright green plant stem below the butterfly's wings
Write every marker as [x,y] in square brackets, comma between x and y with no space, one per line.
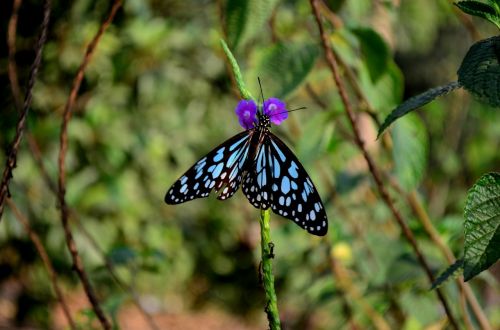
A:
[267,270]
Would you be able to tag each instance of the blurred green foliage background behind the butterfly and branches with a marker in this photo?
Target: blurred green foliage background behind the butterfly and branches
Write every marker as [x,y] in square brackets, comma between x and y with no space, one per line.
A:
[158,95]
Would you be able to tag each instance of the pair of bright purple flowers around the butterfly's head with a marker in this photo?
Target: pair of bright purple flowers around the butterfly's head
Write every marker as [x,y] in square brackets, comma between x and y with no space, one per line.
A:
[273,110]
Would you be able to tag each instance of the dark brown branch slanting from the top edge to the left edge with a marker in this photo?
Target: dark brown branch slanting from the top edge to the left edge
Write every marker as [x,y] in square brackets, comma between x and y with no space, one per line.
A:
[14,147]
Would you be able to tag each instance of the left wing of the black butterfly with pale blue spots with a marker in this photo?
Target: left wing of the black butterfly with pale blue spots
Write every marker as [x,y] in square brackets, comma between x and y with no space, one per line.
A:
[220,169]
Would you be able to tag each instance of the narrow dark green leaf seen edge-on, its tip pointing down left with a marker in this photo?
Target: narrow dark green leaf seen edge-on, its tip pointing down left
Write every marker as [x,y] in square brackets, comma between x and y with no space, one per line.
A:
[416,102]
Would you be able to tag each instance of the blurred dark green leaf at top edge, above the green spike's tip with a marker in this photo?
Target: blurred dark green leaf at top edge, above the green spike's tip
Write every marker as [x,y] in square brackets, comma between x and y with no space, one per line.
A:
[236,18]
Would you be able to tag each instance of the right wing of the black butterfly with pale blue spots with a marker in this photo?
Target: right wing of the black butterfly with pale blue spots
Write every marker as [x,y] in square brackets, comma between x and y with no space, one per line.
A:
[278,180]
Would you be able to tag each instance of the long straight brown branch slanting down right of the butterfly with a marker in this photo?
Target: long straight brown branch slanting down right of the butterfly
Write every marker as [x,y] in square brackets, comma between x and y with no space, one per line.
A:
[374,171]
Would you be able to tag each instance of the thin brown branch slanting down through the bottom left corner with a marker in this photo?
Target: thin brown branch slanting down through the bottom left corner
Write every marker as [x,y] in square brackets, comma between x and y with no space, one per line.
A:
[45,258]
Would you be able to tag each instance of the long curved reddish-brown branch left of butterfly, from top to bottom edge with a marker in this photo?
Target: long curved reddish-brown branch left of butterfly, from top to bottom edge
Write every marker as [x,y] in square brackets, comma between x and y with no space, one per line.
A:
[63,138]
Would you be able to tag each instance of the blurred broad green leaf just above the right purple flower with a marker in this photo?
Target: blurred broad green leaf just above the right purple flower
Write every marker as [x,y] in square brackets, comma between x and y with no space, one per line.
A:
[284,66]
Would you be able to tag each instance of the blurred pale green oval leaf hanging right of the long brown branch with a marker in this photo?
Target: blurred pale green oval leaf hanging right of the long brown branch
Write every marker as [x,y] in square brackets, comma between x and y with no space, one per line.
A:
[410,151]
